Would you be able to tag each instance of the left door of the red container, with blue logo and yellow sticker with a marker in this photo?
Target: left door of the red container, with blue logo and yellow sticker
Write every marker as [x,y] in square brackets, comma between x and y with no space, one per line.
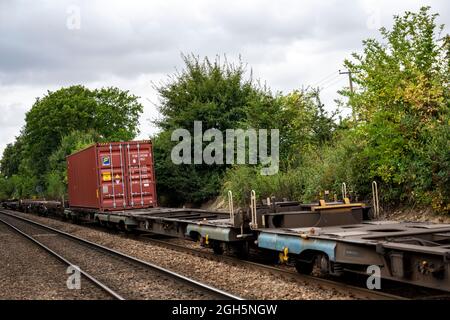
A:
[111,163]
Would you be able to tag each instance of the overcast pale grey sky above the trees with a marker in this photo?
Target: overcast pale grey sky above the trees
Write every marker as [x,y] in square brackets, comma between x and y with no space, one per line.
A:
[45,45]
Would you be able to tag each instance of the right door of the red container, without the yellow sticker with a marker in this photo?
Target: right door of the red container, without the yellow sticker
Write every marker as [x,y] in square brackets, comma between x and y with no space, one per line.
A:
[141,186]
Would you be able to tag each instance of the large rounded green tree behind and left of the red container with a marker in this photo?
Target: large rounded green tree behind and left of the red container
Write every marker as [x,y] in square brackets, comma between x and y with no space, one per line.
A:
[30,165]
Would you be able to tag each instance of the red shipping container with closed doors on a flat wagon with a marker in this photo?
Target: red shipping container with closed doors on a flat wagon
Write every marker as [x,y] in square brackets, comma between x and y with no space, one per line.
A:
[112,176]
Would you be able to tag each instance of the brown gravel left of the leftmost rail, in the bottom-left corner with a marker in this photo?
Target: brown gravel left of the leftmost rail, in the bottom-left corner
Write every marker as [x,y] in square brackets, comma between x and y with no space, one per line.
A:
[27,272]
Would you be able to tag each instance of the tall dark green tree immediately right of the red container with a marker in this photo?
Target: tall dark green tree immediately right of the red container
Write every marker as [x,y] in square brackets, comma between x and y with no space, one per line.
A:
[215,93]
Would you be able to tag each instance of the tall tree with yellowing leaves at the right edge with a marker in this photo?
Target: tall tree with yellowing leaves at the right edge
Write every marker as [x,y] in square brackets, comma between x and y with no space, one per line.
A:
[401,103]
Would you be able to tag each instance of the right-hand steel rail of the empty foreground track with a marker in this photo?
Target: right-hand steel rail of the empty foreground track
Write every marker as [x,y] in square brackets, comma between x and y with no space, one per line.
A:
[191,282]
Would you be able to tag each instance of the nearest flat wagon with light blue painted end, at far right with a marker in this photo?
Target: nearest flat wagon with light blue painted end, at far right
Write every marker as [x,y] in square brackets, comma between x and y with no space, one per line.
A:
[411,252]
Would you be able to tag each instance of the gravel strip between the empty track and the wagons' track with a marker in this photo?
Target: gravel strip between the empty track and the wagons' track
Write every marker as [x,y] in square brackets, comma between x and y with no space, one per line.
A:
[239,280]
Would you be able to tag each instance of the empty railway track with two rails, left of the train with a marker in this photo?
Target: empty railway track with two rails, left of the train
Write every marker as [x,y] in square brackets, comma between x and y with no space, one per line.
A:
[119,275]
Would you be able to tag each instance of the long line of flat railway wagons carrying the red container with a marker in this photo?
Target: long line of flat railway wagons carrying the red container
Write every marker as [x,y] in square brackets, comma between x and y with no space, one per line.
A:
[331,238]
